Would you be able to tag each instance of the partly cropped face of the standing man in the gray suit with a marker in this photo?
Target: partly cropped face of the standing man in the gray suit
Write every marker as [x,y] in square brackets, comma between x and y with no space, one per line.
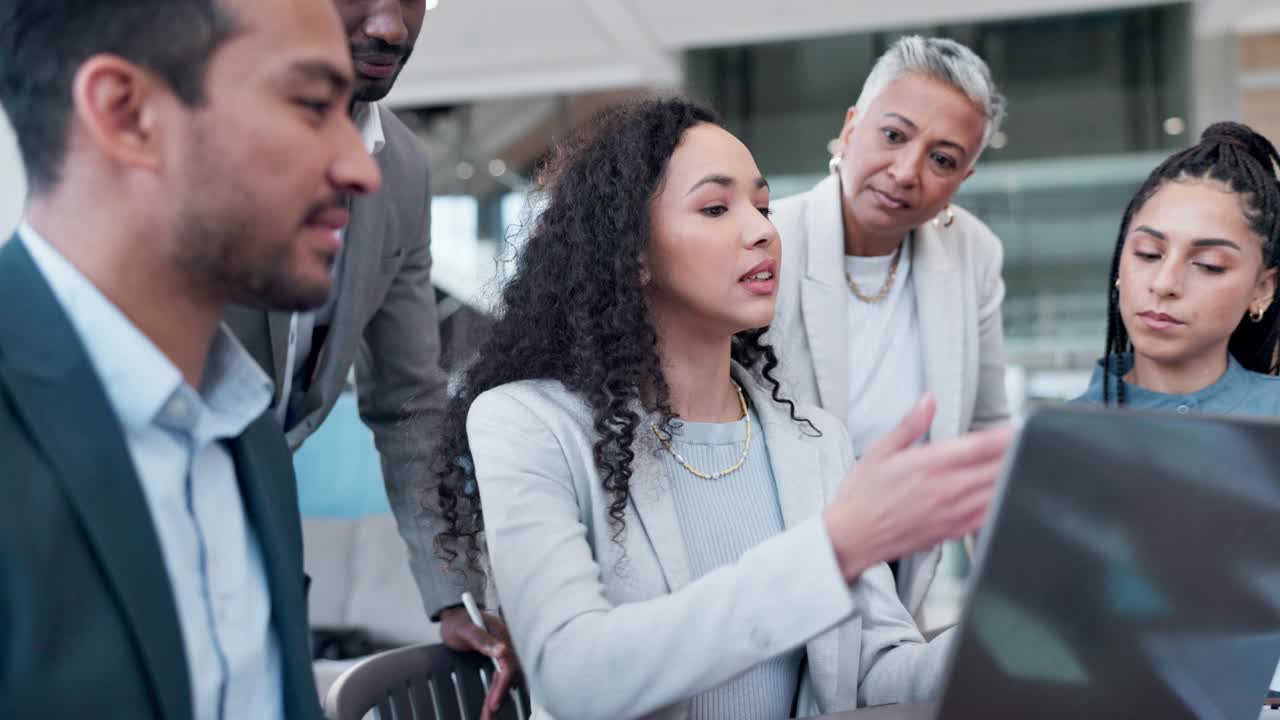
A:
[382,35]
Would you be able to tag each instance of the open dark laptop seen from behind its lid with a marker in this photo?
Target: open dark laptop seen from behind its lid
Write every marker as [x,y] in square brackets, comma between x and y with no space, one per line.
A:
[1132,571]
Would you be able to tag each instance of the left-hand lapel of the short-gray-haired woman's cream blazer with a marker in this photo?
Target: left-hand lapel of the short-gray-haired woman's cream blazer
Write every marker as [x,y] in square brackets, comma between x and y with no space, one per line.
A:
[824,298]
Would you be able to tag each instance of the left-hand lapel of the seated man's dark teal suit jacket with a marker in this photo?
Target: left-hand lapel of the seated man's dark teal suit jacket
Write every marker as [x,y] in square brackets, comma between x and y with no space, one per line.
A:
[60,395]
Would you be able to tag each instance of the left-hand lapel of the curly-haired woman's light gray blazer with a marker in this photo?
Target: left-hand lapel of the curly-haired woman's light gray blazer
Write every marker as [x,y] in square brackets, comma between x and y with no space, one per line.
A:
[655,505]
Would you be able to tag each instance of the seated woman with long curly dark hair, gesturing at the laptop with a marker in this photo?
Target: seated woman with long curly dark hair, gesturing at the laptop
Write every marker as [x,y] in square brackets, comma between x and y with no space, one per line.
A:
[670,536]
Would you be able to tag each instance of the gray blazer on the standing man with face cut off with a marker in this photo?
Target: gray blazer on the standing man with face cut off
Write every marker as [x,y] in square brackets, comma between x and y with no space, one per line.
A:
[385,322]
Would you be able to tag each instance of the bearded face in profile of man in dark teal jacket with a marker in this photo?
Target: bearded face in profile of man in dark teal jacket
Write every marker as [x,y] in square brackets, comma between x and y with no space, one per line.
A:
[271,161]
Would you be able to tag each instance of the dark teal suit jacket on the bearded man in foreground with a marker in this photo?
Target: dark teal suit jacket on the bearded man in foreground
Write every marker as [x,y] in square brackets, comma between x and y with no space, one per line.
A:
[89,627]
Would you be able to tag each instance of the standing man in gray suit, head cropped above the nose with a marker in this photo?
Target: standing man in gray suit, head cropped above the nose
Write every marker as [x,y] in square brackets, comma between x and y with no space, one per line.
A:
[382,320]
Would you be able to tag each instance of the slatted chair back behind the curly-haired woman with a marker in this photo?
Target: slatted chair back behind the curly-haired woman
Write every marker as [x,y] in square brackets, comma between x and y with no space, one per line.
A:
[422,682]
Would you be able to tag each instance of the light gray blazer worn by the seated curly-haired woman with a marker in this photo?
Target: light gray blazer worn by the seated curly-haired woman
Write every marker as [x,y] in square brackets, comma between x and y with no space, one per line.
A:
[624,632]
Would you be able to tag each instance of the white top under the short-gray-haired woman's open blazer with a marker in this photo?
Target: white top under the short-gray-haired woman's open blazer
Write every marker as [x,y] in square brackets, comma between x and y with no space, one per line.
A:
[886,354]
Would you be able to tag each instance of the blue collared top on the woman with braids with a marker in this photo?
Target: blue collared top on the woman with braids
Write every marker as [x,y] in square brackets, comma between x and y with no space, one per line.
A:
[1237,393]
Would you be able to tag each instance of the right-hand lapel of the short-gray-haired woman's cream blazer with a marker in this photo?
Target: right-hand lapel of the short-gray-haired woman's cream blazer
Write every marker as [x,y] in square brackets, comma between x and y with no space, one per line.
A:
[938,303]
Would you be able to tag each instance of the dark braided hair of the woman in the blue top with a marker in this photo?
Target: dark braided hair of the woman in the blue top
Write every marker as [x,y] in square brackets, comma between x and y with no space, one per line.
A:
[1245,161]
